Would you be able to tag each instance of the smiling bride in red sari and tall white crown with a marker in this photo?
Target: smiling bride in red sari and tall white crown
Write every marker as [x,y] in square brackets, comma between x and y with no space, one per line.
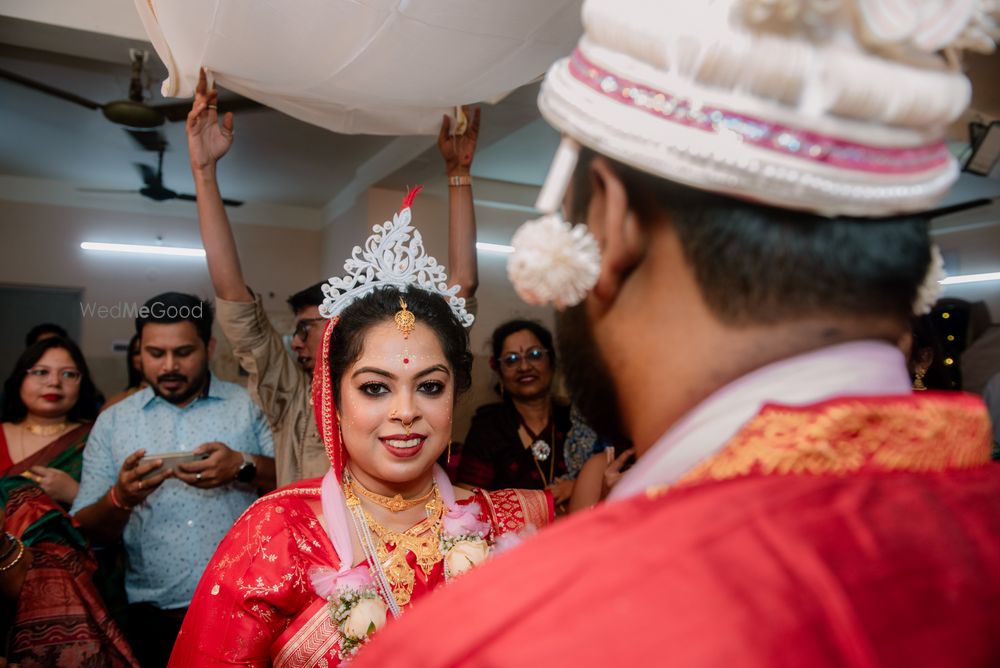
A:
[311,571]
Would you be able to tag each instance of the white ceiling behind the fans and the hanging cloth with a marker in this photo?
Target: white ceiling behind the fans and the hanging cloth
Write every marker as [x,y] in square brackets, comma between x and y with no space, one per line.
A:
[278,163]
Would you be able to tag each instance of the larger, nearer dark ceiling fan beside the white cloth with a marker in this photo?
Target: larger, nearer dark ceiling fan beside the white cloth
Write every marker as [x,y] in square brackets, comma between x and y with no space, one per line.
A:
[132,112]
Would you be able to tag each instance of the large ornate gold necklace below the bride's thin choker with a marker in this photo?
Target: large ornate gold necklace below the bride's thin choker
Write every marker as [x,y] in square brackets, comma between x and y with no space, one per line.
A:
[423,539]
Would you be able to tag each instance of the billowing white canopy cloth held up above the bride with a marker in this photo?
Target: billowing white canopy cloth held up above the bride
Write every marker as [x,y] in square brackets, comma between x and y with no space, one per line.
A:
[361,66]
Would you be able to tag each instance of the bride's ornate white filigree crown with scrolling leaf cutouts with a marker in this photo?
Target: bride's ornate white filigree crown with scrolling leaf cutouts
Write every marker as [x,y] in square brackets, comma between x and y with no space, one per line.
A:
[393,255]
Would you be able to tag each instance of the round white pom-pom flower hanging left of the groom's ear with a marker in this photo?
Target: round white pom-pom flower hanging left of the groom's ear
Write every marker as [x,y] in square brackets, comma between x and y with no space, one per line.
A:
[553,262]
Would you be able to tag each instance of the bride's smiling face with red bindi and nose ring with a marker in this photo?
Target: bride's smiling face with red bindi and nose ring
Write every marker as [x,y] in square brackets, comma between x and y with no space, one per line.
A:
[396,403]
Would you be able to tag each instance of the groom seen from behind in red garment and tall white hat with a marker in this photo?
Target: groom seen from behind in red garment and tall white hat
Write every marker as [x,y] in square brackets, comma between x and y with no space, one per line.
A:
[793,504]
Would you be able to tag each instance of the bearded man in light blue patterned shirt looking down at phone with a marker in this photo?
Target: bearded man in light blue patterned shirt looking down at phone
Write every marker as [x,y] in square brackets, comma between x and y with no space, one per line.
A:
[172,516]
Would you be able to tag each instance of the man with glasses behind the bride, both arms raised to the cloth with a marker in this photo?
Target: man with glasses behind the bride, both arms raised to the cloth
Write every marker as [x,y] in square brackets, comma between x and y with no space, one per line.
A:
[280,385]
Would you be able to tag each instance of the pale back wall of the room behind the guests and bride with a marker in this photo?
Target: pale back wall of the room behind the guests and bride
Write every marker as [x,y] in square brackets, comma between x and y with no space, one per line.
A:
[41,246]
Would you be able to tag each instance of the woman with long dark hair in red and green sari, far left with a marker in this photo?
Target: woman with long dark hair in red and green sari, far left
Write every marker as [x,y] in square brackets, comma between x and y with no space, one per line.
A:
[48,600]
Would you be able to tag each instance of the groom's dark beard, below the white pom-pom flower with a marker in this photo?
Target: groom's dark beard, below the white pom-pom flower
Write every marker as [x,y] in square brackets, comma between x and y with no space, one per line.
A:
[587,377]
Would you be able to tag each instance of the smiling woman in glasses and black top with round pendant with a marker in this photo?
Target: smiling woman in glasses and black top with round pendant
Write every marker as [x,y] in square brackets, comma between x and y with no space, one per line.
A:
[519,442]
